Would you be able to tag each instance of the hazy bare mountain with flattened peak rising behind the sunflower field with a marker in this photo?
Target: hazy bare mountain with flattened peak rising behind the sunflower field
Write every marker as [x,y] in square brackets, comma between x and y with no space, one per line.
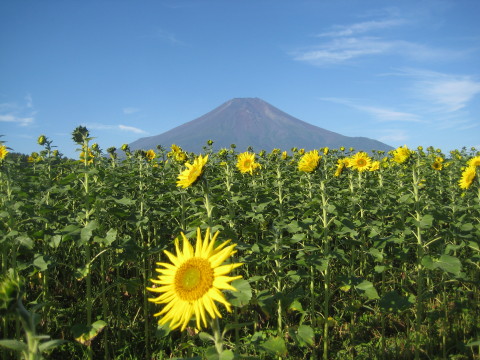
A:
[253,122]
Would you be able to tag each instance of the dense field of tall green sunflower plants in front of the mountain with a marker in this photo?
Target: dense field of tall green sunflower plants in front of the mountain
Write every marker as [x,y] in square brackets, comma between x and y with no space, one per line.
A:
[344,254]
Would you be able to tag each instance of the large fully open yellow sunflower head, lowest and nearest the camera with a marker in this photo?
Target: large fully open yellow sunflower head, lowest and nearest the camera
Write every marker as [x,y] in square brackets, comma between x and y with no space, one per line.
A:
[191,284]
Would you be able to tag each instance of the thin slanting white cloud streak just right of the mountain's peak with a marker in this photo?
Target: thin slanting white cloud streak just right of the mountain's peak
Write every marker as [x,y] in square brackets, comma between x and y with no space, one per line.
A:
[379,113]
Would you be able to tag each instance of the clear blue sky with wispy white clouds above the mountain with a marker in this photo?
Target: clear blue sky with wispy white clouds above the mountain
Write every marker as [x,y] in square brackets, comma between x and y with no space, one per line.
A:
[402,72]
